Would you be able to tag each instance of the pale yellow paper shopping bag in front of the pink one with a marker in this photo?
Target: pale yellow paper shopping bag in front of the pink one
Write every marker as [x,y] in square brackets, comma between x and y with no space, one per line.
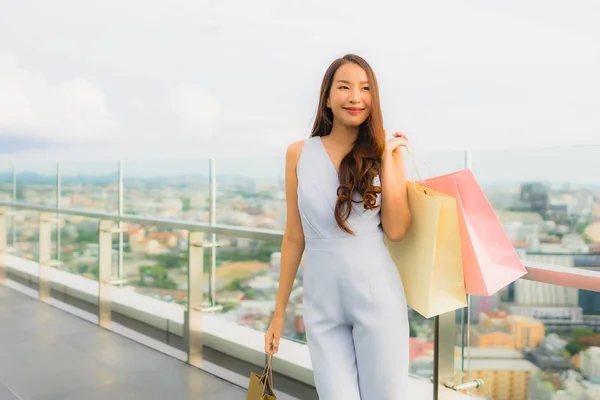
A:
[429,258]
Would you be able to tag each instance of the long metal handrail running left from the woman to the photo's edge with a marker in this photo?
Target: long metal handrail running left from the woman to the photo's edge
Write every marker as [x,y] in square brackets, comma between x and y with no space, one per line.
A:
[226,230]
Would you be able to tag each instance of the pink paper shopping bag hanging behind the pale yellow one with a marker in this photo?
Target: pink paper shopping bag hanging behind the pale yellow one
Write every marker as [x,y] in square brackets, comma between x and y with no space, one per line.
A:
[490,261]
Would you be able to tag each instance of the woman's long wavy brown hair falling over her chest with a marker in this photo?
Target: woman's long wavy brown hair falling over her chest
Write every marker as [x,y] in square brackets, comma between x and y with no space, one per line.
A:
[363,163]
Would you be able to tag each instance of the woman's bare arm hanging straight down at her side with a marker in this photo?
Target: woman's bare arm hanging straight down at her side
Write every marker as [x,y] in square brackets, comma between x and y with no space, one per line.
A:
[293,237]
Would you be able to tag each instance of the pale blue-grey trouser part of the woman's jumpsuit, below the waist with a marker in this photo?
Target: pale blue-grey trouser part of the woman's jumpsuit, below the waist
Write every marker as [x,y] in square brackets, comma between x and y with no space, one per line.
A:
[356,320]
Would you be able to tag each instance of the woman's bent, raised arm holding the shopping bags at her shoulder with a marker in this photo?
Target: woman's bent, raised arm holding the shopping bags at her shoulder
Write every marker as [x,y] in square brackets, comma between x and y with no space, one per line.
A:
[395,213]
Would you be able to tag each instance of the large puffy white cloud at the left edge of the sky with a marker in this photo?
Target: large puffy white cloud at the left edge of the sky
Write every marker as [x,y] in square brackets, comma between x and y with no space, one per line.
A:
[73,110]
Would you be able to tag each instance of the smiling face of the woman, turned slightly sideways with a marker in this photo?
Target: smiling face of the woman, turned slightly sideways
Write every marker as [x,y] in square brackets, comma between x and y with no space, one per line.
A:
[350,95]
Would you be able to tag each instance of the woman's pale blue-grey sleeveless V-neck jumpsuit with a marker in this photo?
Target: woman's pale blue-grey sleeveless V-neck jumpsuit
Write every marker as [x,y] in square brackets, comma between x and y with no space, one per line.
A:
[355,309]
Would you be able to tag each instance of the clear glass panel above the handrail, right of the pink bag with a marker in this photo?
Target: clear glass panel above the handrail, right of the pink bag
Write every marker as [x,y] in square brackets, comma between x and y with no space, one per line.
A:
[546,198]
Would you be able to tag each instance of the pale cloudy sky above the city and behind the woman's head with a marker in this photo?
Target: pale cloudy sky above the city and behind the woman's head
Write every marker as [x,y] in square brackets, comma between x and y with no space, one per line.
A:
[97,82]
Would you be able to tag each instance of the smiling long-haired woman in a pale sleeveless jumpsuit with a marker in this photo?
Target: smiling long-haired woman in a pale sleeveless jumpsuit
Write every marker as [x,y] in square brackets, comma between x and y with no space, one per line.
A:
[345,188]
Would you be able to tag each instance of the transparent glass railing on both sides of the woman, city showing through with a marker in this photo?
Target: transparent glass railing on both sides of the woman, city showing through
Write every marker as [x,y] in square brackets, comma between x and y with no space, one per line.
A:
[548,206]
